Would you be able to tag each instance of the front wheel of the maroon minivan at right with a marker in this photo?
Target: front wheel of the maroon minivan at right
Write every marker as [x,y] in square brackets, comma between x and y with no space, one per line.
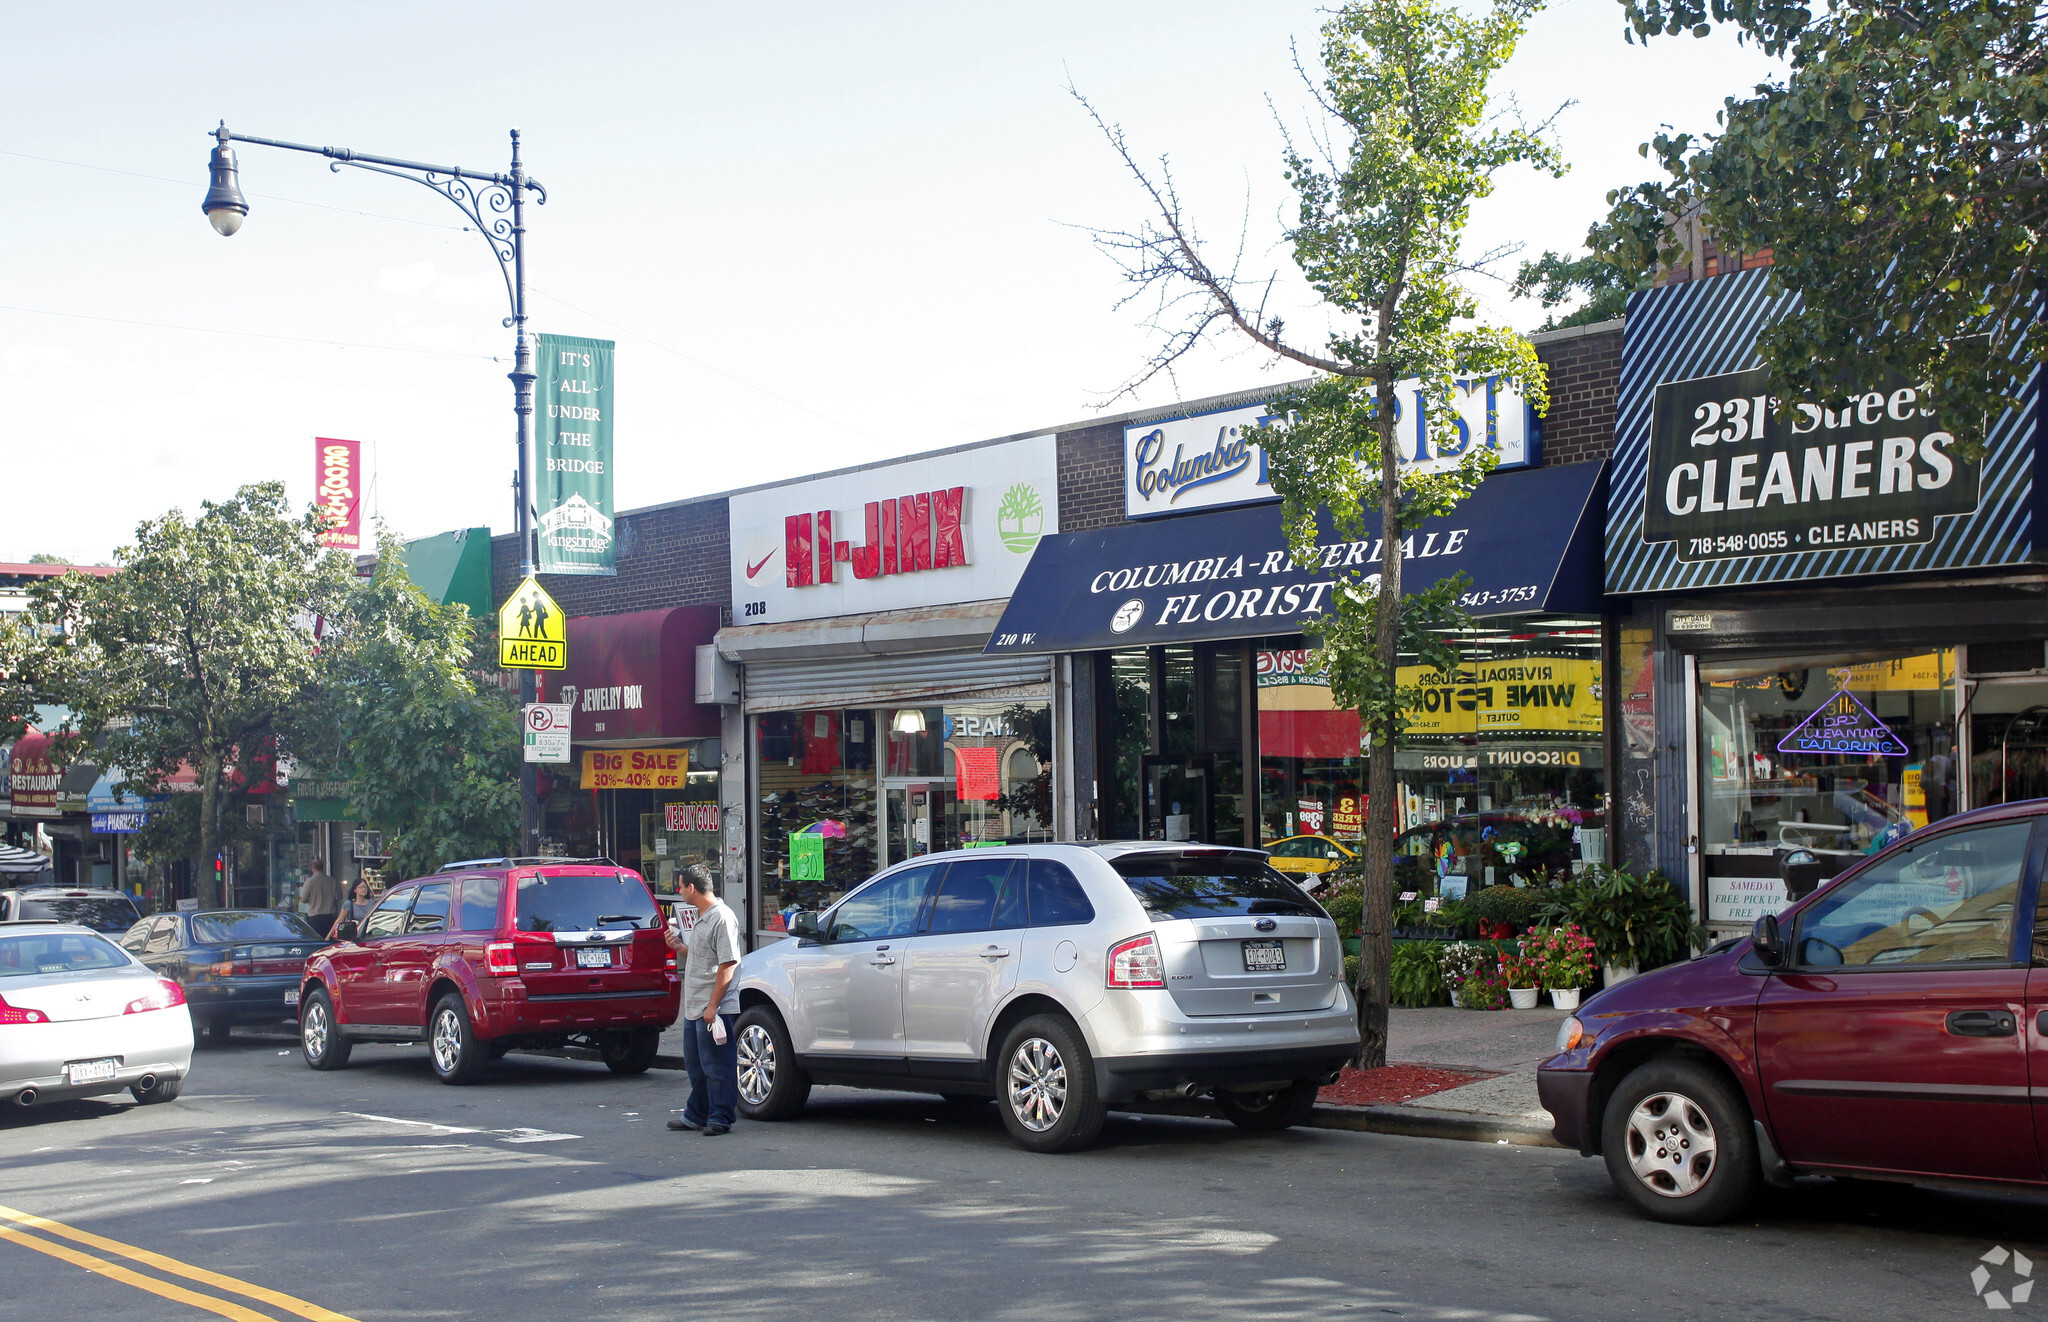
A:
[1680,1145]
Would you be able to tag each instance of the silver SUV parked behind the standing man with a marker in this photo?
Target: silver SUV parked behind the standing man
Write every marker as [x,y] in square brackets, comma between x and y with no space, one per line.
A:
[1060,979]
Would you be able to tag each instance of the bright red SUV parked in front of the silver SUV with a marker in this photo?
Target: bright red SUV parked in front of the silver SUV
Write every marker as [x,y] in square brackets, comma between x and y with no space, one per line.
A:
[499,955]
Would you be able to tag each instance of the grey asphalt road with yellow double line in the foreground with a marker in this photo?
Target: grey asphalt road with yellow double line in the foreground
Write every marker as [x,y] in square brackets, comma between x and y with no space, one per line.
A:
[554,1192]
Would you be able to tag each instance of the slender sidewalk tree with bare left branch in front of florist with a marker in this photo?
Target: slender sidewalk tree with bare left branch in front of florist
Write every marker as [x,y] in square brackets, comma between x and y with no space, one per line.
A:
[1377,236]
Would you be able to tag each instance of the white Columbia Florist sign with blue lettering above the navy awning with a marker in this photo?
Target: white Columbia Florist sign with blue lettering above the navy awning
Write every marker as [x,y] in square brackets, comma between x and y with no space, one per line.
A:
[1215,459]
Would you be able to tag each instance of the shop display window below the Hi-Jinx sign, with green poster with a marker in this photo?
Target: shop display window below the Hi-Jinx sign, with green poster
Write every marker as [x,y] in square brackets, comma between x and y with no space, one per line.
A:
[878,787]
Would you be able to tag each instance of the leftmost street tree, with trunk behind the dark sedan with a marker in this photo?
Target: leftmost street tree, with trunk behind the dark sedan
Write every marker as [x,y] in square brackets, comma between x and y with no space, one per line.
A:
[198,654]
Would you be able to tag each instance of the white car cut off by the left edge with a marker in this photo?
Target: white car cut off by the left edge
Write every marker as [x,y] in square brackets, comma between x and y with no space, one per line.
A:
[83,1018]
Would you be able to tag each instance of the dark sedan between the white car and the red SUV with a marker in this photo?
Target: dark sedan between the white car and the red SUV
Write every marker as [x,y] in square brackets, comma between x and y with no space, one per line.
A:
[234,965]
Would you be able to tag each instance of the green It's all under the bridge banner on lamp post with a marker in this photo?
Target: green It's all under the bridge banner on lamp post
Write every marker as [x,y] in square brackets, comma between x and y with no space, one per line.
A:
[574,455]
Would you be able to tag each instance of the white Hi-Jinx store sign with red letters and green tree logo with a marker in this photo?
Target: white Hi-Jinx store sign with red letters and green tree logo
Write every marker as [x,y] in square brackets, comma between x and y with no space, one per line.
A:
[957,527]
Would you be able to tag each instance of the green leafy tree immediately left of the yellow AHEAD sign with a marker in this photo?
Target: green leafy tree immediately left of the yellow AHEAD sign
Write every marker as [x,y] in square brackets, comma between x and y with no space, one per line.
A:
[431,756]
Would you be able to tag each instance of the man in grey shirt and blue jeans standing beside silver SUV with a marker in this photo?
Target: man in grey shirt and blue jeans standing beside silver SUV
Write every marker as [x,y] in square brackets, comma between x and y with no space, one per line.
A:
[710,1006]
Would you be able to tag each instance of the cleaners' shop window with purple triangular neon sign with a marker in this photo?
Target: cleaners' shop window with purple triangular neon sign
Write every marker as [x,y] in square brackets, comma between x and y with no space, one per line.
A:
[1838,756]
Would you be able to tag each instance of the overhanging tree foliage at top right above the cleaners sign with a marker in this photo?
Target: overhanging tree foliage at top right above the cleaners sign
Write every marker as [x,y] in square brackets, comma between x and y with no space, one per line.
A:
[1897,177]
